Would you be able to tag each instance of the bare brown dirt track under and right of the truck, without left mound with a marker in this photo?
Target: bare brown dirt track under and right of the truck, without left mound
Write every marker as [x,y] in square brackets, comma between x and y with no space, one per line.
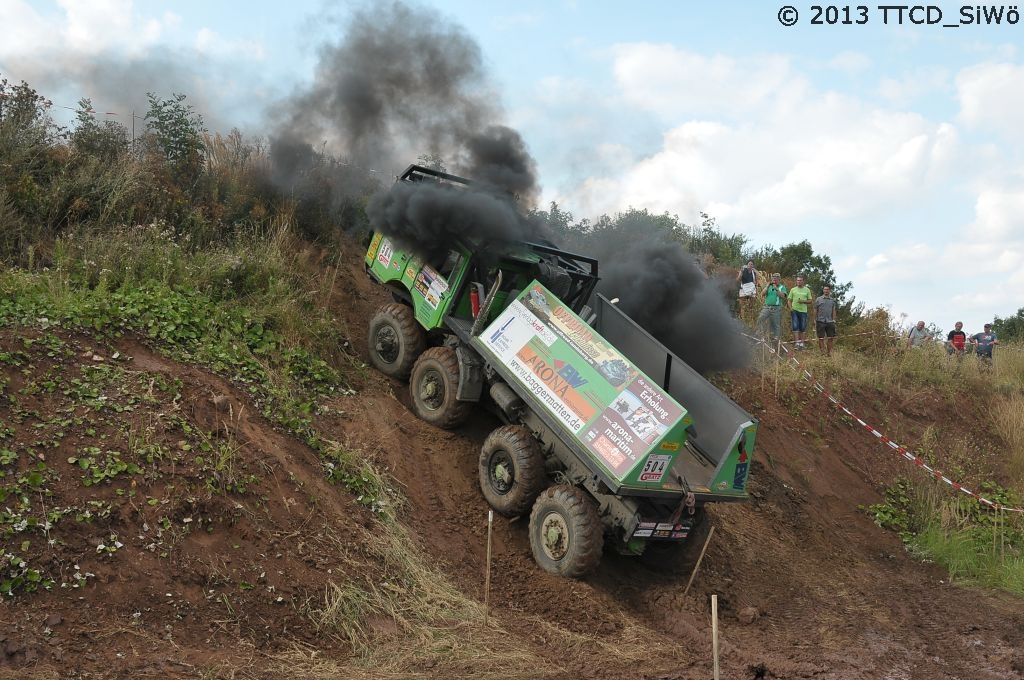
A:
[837,597]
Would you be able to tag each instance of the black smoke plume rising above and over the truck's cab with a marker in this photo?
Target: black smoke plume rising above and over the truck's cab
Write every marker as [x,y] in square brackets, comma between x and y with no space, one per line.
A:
[404,83]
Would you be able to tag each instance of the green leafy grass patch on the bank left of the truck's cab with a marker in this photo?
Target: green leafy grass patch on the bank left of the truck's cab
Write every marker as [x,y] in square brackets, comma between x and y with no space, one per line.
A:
[264,329]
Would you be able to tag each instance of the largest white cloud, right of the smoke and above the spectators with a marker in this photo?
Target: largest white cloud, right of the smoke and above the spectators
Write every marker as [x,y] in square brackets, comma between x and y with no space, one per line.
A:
[798,154]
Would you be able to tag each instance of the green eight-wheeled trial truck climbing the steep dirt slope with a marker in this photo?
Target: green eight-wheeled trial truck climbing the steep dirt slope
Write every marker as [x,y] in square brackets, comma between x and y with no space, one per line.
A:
[610,438]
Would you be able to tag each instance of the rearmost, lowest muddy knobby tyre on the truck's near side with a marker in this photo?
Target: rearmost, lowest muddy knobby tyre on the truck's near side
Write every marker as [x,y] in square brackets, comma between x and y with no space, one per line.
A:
[566,532]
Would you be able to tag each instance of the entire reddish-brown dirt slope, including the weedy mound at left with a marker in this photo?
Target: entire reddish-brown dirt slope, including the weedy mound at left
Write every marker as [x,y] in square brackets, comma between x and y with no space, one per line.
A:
[219,584]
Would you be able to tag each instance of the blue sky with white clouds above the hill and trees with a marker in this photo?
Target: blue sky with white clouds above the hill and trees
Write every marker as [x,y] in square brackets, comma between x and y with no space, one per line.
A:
[892,142]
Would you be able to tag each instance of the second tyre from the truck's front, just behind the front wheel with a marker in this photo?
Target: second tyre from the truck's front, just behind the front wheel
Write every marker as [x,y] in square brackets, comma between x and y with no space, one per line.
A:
[434,387]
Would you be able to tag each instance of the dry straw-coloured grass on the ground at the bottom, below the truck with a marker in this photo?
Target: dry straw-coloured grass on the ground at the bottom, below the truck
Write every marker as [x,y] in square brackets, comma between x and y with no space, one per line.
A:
[402,618]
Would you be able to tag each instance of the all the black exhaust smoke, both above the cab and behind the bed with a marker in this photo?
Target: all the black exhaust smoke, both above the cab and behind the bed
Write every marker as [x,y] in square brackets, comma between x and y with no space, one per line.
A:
[404,83]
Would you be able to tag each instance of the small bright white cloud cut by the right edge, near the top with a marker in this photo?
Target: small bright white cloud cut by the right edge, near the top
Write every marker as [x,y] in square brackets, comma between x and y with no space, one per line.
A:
[992,97]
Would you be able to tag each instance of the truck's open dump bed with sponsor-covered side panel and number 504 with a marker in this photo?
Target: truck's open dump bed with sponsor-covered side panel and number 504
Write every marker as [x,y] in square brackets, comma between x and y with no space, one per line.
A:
[615,408]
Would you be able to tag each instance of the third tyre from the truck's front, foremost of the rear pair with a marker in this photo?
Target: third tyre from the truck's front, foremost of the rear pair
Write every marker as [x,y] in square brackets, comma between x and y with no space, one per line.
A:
[511,471]
